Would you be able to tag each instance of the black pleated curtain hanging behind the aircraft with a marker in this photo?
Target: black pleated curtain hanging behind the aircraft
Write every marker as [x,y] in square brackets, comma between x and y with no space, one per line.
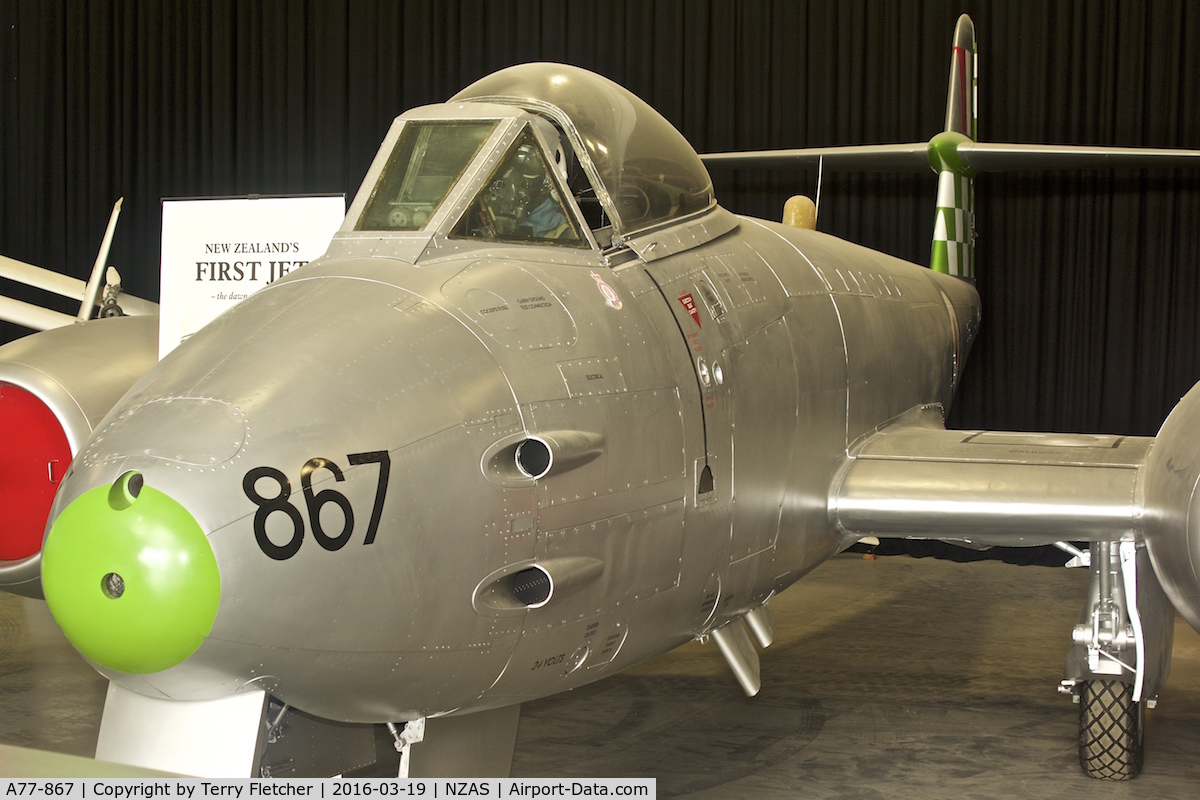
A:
[1089,280]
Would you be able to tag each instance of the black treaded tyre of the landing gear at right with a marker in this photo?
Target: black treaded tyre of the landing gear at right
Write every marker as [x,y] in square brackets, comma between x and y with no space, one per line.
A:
[1111,731]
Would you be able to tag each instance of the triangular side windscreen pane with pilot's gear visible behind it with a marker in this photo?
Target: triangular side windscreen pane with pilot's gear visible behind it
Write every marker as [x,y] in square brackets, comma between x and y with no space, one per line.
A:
[521,202]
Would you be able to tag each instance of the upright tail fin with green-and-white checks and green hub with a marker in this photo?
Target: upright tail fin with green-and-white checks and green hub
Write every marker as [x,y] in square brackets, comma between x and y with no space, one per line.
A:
[953,251]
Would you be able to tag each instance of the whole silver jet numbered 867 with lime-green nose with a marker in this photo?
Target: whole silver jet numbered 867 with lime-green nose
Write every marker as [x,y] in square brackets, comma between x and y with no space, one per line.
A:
[545,411]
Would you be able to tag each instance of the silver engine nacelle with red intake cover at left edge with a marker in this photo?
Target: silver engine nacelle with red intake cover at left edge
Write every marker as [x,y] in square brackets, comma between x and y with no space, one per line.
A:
[55,388]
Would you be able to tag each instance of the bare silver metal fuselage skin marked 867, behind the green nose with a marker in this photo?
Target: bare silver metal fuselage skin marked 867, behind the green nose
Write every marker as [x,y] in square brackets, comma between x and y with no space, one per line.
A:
[391,631]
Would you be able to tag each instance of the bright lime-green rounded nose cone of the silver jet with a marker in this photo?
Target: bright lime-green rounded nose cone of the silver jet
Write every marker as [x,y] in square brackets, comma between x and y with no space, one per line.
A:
[130,578]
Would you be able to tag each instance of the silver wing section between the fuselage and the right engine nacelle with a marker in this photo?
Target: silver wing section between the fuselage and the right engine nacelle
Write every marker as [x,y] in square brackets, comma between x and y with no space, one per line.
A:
[916,479]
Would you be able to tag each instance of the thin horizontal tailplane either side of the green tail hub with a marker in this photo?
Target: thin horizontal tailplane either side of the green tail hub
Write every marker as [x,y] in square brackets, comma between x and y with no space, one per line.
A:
[976,157]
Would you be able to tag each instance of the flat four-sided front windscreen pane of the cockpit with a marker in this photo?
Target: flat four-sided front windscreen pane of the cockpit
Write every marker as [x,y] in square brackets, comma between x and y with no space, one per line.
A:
[428,161]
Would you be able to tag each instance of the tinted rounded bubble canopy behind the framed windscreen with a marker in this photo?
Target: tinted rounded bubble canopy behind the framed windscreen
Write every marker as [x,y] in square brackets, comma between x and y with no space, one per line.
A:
[644,171]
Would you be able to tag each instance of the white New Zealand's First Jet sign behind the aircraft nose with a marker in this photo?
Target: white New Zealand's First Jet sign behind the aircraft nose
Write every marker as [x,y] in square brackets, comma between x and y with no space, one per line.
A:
[219,251]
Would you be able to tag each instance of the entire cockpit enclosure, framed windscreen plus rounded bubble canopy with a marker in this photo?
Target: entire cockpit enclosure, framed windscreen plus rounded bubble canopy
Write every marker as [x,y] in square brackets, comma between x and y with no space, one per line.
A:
[538,154]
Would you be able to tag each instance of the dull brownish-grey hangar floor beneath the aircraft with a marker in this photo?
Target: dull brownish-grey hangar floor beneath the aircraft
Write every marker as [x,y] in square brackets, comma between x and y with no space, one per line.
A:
[890,678]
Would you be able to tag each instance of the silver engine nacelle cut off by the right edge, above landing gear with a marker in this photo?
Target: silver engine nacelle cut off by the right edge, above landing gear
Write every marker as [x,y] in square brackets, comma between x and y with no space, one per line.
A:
[1173,507]
